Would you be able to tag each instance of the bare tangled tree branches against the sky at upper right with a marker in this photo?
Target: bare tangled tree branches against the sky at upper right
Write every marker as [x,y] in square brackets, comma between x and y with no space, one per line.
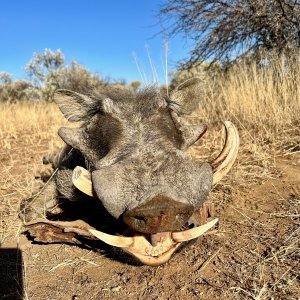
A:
[227,29]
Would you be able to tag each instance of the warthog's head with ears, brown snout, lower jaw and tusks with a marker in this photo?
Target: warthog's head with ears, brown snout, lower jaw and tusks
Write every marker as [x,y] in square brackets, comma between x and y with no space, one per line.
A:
[135,146]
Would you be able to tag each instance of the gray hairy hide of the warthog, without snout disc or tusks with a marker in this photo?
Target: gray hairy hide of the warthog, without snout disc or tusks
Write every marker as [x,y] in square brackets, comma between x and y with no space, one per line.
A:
[134,144]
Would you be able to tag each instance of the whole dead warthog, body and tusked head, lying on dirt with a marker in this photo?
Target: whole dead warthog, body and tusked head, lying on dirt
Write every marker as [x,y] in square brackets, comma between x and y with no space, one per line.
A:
[130,153]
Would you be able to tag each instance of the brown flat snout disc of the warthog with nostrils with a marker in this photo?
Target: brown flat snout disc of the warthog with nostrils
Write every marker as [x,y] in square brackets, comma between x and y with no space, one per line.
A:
[160,214]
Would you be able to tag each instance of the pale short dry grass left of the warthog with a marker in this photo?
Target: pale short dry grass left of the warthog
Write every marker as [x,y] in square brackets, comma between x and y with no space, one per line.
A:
[27,132]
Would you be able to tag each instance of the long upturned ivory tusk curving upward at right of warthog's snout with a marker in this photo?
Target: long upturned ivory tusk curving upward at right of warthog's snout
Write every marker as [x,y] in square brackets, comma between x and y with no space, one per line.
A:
[223,163]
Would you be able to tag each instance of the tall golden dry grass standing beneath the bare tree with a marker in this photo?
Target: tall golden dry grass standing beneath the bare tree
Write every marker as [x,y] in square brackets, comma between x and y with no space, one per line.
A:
[263,98]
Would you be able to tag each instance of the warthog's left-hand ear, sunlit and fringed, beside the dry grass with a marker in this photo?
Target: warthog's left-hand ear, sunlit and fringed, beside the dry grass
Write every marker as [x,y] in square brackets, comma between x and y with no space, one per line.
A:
[75,106]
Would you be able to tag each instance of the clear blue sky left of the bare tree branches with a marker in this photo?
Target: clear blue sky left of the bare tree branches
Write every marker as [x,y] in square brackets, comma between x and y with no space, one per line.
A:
[101,35]
